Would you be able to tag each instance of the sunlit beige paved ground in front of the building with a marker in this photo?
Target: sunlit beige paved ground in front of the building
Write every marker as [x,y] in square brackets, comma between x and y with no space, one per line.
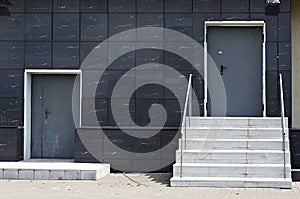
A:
[133,186]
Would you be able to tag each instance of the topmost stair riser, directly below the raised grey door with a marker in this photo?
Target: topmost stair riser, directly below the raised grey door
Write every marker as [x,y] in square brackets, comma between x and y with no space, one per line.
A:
[275,123]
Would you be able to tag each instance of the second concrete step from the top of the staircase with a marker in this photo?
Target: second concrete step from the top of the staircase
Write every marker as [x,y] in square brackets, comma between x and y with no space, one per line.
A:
[236,133]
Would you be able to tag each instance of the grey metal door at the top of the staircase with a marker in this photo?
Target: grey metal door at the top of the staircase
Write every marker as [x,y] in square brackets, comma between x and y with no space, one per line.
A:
[237,52]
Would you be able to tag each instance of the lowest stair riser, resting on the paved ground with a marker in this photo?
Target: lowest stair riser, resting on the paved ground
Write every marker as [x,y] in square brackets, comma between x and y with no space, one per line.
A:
[233,184]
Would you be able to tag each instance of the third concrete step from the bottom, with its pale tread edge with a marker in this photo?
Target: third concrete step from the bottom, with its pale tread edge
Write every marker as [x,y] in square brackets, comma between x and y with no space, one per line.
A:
[233,156]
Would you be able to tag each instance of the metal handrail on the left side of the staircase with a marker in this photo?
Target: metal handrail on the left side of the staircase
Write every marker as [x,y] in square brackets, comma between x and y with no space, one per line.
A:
[187,103]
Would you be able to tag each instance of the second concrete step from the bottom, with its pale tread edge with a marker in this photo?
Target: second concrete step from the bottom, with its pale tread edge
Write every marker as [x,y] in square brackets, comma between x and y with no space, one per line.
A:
[231,170]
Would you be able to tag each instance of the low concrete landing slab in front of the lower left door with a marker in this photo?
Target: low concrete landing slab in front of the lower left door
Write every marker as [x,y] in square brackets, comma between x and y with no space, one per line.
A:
[52,170]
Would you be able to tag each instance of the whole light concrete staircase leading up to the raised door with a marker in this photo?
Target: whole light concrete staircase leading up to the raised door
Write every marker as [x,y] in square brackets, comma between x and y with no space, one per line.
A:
[233,152]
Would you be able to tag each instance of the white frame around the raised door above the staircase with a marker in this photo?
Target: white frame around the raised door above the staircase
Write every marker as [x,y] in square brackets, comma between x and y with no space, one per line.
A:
[236,24]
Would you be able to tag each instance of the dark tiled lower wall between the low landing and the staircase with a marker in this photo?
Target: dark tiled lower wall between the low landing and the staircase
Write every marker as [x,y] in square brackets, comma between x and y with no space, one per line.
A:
[92,145]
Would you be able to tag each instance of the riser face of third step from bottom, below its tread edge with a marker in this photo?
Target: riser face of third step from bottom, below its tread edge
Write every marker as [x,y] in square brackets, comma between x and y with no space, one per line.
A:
[237,158]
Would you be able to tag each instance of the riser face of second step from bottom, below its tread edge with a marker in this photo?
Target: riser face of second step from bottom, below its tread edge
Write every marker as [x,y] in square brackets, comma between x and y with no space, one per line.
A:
[248,172]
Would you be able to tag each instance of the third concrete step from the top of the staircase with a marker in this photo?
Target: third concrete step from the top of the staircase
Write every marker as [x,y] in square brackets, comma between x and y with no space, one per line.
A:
[233,144]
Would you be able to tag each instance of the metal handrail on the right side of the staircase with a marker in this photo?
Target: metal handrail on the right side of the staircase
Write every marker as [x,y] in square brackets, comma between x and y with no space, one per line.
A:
[282,124]
